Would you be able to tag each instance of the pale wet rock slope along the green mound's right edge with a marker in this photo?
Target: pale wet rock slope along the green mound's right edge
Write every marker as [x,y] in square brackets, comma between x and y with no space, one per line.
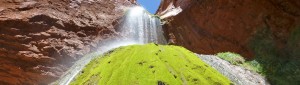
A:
[237,74]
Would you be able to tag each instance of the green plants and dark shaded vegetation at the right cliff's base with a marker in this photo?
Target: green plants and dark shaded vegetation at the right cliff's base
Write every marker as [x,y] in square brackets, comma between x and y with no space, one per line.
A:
[279,66]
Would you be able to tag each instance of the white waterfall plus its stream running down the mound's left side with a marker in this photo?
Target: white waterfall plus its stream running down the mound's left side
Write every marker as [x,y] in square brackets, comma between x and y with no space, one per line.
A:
[136,27]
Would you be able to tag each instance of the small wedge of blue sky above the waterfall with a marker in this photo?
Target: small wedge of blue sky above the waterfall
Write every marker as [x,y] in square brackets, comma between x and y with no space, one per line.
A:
[150,5]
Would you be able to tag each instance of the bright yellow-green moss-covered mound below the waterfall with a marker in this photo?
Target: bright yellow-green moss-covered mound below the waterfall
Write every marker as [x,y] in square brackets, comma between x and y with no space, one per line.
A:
[149,64]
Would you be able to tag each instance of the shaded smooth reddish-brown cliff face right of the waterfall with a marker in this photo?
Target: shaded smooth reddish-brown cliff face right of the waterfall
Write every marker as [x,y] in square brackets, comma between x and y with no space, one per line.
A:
[212,26]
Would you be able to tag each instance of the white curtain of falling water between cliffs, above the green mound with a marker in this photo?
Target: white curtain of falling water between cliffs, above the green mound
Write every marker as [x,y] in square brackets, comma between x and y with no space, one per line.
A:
[141,27]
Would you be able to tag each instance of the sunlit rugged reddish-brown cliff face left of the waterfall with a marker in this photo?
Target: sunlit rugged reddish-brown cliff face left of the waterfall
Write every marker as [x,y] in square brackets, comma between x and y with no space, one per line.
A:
[39,39]
